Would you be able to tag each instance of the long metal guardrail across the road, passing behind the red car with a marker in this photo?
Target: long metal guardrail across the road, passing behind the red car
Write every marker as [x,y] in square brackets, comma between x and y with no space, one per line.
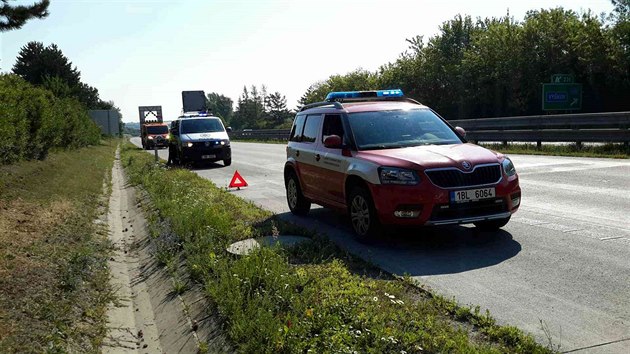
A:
[577,128]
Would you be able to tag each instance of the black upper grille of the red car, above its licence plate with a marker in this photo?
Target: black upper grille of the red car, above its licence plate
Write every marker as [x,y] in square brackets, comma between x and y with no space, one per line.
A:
[454,178]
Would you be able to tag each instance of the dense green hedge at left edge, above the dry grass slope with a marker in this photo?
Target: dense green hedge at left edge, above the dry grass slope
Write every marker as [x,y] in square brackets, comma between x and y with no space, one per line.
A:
[33,120]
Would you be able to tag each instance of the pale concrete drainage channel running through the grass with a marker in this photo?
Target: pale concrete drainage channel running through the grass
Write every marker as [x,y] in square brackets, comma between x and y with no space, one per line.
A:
[148,316]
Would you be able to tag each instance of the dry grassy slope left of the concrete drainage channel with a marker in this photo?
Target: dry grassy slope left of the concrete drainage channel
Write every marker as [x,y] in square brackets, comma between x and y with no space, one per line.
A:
[53,270]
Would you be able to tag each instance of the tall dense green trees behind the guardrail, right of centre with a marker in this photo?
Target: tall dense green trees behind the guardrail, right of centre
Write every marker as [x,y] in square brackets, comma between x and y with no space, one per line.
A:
[496,66]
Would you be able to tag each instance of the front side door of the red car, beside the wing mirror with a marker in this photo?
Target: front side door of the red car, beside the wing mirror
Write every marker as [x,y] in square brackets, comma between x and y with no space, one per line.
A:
[332,165]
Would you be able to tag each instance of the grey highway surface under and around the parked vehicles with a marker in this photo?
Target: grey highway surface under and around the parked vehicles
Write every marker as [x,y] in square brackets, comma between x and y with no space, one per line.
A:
[559,270]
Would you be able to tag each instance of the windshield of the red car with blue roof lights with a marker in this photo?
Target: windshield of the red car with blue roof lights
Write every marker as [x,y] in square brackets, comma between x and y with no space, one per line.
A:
[400,128]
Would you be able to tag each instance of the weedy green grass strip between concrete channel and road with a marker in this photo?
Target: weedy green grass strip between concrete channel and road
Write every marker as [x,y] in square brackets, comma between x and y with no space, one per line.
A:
[311,298]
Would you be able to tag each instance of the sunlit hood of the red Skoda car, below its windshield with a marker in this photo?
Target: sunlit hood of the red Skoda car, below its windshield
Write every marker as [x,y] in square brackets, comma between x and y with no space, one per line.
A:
[431,156]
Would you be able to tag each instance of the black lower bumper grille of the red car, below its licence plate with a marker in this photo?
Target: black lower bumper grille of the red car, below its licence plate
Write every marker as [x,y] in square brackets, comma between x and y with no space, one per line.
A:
[467,210]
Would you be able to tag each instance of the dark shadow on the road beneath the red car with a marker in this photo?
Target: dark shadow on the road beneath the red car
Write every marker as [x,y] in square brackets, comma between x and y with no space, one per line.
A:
[417,251]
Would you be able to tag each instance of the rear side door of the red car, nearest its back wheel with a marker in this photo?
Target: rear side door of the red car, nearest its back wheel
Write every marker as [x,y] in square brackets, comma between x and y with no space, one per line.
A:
[304,151]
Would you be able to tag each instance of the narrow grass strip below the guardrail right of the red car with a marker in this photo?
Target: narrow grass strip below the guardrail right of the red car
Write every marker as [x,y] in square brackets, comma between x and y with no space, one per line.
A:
[617,151]
